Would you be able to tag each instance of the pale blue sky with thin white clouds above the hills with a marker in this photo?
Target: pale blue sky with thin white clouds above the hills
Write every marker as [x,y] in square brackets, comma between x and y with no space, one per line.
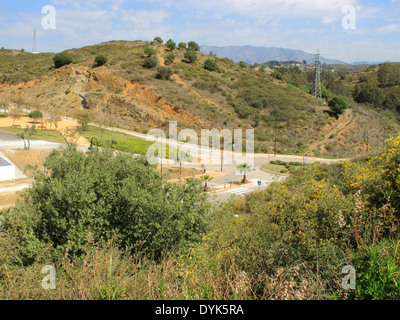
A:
[296,24]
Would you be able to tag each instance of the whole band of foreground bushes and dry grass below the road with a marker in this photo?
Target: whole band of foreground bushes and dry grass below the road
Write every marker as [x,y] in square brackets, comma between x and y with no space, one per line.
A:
[114,229]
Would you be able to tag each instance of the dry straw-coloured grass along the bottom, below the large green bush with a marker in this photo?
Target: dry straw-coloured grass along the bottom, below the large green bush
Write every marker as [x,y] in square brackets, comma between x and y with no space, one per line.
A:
[109,274]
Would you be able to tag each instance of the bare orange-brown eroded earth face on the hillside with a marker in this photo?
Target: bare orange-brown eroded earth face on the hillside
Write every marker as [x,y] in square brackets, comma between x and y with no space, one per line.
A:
[114,100]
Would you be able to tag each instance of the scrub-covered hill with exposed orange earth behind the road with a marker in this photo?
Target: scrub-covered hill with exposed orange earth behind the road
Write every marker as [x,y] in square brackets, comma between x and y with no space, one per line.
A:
[127,94]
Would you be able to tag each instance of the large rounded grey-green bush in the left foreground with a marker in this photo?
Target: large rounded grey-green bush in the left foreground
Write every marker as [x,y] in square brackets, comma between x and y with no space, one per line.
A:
[86,200]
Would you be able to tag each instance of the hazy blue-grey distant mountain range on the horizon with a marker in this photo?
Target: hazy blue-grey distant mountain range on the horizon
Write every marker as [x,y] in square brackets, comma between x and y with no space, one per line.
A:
[260,55]
